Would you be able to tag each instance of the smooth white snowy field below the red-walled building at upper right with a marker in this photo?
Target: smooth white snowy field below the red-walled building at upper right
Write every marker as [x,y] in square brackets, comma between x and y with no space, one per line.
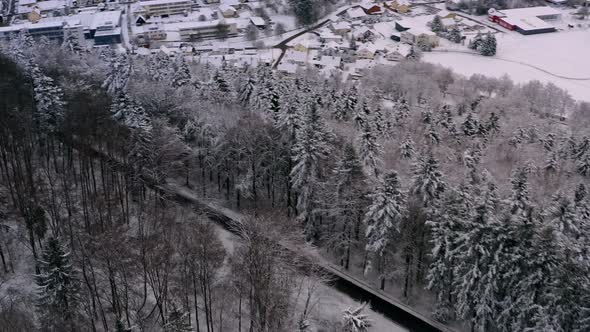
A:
[560,58]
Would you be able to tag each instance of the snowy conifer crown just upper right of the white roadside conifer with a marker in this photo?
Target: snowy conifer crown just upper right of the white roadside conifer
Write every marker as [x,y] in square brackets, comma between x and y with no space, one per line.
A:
[427,183]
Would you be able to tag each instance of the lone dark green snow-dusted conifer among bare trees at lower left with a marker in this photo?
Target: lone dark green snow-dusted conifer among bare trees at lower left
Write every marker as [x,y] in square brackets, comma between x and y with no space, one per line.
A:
[58,288]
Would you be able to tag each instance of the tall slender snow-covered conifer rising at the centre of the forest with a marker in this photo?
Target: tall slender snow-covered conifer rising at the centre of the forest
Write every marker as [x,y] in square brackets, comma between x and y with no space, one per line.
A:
[311,147]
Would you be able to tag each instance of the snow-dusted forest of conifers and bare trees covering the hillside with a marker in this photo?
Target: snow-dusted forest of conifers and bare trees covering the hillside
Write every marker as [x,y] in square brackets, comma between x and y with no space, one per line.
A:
[467,195]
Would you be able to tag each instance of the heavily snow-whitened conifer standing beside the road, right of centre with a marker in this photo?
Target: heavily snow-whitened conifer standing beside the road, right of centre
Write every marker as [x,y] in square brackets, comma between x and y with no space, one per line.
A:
[385,214]
